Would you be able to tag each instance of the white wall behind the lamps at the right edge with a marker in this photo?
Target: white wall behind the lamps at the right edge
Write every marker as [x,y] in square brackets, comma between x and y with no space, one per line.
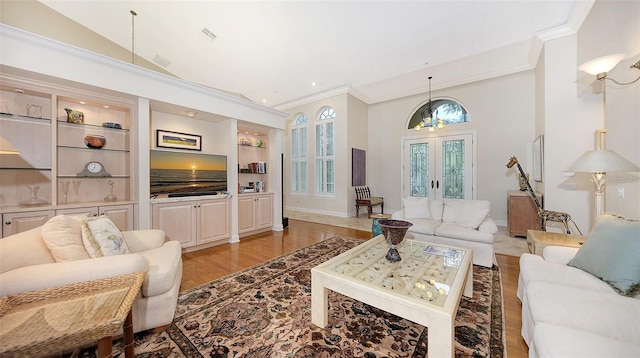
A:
[572,115]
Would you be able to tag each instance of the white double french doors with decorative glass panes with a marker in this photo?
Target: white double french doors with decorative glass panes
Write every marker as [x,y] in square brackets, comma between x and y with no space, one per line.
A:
[439,167]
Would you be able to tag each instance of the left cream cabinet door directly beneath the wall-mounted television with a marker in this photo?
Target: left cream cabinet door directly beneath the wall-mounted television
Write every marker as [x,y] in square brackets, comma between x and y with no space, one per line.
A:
[177,220]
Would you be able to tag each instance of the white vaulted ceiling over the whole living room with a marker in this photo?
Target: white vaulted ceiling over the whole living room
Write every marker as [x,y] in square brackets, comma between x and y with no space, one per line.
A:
[272,51]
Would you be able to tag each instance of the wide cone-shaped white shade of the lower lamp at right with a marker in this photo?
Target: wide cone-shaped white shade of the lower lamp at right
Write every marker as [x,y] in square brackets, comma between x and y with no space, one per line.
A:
[602,161]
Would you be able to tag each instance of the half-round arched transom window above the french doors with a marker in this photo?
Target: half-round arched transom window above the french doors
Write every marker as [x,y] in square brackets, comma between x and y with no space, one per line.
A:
[445,112]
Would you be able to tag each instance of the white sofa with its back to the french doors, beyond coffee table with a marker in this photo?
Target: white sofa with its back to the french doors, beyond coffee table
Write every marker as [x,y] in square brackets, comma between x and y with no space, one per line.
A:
[452,222]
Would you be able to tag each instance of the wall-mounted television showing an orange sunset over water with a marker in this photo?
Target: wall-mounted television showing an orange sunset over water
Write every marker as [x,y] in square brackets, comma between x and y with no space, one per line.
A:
[184,174]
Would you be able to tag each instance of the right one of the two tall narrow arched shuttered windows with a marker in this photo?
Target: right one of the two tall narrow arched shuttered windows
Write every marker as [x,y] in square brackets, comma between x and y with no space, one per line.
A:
[325,161]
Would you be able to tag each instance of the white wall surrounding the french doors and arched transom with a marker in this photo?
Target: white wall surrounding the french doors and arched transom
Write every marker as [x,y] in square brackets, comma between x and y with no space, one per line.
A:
[502,113]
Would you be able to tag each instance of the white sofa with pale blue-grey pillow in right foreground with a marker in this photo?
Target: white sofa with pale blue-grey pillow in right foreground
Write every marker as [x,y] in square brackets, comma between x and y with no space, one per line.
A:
[569,312]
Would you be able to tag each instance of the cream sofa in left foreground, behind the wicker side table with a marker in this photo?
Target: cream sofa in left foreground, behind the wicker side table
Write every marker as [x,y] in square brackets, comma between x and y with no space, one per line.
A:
[27,263]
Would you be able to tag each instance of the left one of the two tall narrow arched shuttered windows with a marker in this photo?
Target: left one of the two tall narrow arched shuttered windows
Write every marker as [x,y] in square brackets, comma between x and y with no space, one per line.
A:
[299,154]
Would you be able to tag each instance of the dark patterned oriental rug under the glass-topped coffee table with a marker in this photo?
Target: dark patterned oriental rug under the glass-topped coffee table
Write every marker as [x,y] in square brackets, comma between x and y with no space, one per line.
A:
[265,311]
